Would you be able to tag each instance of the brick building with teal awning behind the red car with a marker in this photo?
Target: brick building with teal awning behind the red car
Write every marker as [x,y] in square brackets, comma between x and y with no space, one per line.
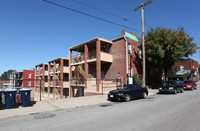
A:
[187,69]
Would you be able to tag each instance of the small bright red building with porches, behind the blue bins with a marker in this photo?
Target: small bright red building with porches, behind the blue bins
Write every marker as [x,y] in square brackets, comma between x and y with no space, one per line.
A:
[23,79]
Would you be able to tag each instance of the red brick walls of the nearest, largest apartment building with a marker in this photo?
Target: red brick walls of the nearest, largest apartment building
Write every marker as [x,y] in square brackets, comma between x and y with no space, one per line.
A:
[118,50]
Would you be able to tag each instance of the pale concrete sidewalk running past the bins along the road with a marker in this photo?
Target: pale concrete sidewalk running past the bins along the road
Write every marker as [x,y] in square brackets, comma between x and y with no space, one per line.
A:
[58,104]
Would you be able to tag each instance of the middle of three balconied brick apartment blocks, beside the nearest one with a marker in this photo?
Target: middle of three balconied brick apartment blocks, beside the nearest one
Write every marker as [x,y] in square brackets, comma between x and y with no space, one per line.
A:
[58,77]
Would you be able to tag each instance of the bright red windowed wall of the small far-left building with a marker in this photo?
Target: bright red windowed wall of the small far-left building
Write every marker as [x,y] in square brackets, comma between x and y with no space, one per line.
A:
[26,79]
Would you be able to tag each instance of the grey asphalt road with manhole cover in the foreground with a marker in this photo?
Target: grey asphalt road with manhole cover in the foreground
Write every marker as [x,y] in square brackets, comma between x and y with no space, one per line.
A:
[180,112]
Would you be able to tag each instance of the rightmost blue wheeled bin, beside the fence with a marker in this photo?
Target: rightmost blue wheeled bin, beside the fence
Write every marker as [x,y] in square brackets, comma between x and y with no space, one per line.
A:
[25,96]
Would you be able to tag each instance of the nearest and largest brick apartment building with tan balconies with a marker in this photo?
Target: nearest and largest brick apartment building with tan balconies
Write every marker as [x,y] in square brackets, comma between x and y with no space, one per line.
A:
[100,59]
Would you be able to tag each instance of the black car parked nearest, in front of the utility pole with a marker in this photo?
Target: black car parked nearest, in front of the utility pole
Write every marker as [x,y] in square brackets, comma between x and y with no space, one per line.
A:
[127,93]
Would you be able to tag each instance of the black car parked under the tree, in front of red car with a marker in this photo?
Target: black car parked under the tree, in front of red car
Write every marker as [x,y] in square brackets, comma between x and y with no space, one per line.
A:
[172,86]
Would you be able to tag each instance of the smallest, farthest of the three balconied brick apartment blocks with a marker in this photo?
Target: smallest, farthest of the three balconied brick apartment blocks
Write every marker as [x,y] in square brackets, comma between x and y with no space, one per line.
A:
[41,77]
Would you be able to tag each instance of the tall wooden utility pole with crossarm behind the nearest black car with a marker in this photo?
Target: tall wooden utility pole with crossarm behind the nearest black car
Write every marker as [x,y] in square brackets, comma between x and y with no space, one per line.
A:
[143,47]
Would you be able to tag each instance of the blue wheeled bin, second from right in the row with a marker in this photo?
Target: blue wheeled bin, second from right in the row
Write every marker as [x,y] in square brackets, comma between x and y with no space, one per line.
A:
[10,95]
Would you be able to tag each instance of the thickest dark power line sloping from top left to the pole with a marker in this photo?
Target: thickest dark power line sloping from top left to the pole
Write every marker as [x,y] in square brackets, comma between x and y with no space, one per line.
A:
[65,7]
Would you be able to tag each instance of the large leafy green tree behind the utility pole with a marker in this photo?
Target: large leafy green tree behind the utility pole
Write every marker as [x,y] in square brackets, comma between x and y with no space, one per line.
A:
[164,46]
